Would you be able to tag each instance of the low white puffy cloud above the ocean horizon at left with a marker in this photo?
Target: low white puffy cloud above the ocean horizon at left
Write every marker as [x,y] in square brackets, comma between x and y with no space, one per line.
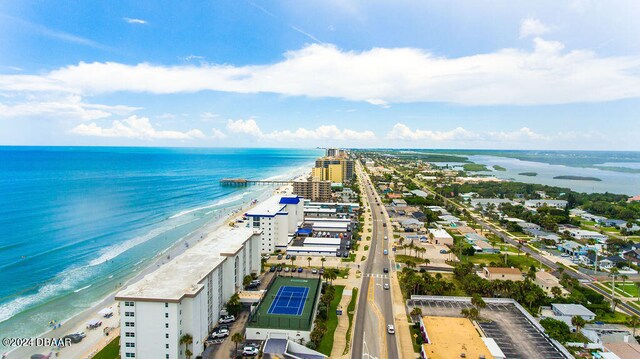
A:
[134,127]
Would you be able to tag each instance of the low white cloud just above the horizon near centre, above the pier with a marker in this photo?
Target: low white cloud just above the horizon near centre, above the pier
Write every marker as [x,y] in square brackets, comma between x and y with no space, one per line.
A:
[326,132]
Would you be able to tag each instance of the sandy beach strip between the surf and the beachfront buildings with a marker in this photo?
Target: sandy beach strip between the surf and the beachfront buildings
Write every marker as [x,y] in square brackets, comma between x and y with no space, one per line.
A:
[96,339]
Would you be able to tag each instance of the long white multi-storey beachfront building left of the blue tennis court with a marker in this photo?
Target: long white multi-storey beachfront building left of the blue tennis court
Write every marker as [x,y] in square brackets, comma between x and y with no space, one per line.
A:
[186,295]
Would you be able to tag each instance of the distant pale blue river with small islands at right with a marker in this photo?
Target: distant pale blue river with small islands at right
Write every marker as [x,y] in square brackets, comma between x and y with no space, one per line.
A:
[614,182]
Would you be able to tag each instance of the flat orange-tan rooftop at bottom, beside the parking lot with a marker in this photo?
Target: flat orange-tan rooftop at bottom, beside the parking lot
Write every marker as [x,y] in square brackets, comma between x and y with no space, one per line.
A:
[450,337]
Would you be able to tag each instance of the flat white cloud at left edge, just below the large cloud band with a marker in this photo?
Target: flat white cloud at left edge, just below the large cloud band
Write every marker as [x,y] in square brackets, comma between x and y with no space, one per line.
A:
[69,107]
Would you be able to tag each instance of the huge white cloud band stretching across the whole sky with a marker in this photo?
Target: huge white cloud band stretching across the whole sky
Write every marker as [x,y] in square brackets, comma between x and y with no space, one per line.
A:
[547,74]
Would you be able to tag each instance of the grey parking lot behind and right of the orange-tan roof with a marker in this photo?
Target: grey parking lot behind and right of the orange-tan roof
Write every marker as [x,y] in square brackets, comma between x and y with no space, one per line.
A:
[516,336]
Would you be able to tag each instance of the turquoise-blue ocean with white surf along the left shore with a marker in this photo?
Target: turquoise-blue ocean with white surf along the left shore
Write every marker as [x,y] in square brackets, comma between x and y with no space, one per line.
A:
[76,222]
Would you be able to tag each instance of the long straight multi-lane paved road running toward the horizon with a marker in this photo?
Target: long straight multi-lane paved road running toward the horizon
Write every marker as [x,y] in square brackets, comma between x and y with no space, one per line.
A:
[375,309]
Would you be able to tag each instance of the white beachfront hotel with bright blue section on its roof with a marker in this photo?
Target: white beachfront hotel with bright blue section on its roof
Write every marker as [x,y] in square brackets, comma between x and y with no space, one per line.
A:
[279,217]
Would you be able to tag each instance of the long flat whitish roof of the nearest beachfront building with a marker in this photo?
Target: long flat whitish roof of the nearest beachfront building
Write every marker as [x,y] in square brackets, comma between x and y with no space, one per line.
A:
[182,275]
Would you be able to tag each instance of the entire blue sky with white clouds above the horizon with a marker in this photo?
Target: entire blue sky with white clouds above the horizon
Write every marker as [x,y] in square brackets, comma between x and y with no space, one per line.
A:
[430,74]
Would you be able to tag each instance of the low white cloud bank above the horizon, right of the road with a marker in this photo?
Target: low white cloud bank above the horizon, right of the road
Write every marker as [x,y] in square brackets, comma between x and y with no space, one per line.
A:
[402,132]
